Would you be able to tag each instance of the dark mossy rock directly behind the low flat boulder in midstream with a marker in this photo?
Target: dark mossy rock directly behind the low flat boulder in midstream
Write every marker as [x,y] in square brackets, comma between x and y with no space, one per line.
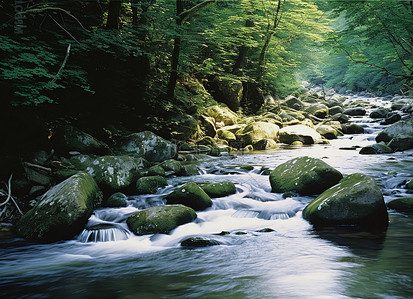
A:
[190,195]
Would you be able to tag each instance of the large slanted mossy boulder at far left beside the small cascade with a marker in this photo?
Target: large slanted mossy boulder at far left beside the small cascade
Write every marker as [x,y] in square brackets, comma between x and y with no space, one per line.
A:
[63,211]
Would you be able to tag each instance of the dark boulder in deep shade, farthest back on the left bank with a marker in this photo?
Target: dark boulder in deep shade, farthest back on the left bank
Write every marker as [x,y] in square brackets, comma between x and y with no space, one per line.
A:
[67,138]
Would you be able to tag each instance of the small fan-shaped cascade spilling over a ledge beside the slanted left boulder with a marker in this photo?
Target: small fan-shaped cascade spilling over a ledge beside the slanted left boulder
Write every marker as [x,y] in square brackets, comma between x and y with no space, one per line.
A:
[103,232]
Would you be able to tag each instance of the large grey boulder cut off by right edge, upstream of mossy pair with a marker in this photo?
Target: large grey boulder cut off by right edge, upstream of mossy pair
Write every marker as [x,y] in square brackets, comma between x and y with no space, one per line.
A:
[400,134]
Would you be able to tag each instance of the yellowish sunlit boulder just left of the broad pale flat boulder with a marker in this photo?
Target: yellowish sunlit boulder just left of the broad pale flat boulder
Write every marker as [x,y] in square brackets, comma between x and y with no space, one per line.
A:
[256,131]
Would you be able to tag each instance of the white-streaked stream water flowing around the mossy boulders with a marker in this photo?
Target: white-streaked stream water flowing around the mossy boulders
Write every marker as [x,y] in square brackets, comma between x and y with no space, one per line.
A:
[293,261]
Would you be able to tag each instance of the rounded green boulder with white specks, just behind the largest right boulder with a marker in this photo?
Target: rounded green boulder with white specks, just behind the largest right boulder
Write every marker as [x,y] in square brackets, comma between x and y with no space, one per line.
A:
[304,175]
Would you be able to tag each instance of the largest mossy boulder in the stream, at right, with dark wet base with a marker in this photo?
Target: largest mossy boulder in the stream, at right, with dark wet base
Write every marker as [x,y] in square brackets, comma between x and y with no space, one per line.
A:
[355,200]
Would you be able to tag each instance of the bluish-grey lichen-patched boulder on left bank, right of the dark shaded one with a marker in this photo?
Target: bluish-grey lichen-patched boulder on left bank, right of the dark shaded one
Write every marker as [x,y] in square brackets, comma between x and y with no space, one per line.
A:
[147,145]
